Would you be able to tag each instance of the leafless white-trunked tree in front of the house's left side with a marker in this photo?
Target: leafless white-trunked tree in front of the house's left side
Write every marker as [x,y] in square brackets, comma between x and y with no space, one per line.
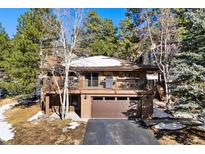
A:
[70,21]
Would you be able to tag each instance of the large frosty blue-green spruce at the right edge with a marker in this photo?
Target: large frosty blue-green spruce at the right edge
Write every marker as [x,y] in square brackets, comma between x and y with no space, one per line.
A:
[189,64]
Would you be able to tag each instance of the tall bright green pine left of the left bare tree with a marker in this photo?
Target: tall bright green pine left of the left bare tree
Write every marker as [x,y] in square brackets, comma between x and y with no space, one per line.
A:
[22,64]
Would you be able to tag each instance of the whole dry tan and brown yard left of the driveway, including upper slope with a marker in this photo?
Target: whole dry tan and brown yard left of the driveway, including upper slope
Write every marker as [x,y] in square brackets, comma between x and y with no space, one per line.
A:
[42,132]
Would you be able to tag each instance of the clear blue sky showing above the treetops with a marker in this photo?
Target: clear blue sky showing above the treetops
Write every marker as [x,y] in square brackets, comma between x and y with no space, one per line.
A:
[9,17]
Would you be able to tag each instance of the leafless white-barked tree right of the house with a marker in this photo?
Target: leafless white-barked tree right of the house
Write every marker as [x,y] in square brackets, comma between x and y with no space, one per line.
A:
[165,45]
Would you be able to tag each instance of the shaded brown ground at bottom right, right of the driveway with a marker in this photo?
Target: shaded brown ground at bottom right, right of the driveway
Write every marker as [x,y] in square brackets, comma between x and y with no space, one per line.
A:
[183,137]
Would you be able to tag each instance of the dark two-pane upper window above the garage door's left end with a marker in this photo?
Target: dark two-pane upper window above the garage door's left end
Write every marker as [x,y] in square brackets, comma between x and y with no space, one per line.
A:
[91,79]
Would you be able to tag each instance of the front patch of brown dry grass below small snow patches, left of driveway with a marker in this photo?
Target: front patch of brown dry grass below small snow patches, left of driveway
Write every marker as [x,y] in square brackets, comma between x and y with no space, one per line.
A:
[47,133]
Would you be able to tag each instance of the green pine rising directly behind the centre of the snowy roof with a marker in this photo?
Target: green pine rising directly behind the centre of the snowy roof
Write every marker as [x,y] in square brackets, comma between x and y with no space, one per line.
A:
[98,36]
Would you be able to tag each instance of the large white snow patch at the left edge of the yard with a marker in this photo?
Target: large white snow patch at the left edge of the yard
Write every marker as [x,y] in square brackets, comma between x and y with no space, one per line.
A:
[6,130]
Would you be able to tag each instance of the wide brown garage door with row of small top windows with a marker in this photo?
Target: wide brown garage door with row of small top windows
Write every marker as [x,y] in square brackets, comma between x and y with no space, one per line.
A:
[115,107]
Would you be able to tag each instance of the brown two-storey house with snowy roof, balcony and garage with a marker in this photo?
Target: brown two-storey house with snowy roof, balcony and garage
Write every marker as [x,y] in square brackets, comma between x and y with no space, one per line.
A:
[103,87]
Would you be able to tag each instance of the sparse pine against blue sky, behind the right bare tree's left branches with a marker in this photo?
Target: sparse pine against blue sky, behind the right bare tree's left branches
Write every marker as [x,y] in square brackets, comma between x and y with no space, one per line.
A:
[139,24]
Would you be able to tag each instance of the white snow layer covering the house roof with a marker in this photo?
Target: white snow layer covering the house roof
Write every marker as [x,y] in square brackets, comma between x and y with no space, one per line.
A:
[96,61]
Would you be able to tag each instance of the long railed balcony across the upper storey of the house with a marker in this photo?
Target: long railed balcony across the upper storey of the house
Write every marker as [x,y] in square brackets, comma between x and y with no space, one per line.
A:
[119,84]
